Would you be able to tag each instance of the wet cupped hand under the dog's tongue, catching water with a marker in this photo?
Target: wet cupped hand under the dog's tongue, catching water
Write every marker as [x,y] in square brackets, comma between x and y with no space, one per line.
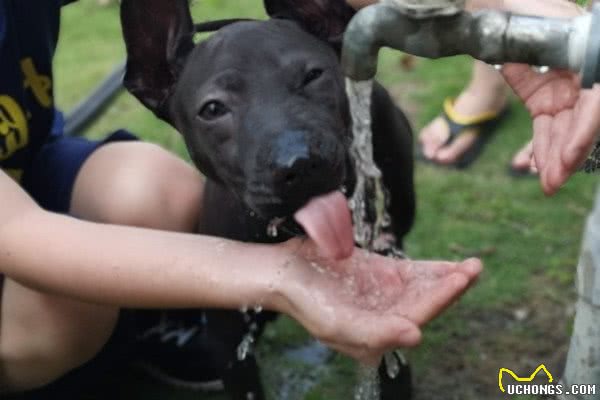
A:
[368,304]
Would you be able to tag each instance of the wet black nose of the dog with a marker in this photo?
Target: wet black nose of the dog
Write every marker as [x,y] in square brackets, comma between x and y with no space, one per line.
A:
[297,166]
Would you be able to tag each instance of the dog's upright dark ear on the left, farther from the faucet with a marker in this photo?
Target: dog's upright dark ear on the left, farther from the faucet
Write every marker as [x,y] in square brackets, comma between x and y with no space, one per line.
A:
[158,36]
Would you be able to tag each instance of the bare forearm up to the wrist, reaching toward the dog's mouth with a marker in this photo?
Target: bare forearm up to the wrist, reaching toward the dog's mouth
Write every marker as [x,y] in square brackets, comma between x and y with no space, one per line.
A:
[136,267]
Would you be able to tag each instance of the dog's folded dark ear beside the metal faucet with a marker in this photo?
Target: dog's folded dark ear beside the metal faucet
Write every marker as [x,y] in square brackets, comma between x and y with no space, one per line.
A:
[326,19]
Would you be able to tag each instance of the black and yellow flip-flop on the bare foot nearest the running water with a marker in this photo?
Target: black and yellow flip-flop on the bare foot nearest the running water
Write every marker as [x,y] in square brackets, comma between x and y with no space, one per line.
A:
[483,125]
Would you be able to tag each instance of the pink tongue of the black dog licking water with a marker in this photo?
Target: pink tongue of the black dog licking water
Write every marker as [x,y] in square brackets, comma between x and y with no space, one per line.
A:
[328,222]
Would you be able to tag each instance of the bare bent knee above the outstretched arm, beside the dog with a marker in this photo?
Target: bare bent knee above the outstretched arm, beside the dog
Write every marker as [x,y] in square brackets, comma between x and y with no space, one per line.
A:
[147,187]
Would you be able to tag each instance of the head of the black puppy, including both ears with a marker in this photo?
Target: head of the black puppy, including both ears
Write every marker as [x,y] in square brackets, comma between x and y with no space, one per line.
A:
[261,104]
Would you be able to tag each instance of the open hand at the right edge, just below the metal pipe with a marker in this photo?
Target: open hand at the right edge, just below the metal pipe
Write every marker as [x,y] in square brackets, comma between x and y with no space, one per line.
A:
[566,120]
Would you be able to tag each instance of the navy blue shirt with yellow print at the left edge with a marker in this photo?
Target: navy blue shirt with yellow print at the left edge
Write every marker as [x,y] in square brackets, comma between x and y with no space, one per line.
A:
[28,37]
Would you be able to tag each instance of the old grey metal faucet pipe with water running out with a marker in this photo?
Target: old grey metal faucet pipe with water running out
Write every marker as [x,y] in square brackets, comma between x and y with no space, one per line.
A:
[442,28]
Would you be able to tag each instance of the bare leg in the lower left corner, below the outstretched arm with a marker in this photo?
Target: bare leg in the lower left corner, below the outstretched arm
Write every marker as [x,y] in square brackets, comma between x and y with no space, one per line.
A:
[48,337]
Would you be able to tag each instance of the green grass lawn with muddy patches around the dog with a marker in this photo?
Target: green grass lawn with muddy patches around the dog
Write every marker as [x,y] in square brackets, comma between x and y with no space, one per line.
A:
[518,316]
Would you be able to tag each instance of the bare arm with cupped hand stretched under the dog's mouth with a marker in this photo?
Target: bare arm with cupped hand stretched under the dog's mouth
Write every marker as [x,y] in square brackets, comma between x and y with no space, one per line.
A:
[136,267]
